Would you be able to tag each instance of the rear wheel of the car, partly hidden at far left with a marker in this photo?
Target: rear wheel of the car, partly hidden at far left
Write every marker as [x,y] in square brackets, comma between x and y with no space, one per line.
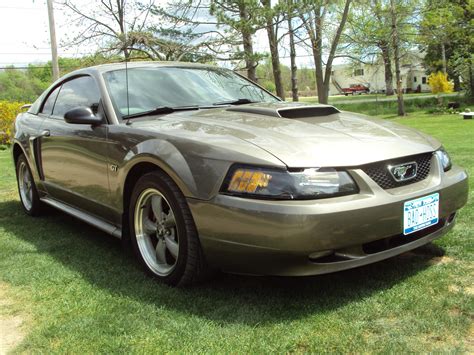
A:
[29,196]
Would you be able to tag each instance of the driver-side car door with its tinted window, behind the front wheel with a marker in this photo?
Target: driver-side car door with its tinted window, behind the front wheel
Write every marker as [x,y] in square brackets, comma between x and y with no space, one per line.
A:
[74,156]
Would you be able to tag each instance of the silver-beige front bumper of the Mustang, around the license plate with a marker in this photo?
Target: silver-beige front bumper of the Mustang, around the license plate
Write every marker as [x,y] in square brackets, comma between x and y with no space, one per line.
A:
[321,236]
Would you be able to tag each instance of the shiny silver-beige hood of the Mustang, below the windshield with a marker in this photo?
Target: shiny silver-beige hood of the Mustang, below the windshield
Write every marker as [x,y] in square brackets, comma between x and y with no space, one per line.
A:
[308,136]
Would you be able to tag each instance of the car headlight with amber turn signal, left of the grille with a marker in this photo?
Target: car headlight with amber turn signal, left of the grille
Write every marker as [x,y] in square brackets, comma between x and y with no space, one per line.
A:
[278,184]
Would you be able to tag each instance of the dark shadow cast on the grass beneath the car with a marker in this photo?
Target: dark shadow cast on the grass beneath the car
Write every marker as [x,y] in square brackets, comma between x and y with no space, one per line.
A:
[100,260]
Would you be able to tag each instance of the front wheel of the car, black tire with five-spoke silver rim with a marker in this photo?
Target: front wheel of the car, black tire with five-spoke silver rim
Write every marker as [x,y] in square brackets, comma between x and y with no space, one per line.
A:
[163,234]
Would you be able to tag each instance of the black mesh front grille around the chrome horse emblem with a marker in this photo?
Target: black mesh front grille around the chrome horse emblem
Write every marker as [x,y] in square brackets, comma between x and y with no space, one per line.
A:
[380,174]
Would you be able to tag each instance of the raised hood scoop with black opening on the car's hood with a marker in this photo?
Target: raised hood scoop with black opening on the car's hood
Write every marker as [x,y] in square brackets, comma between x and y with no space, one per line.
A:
[287,112]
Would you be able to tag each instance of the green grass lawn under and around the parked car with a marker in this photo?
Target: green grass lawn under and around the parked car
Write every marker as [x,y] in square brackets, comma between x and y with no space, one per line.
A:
[79,292]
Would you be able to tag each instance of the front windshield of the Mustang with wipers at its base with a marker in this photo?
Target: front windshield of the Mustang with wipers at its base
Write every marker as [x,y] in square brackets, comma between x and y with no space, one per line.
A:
[175,87]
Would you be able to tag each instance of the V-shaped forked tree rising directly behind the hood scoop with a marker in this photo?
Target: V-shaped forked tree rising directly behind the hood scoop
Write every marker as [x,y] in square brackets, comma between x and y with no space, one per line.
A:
[314,16]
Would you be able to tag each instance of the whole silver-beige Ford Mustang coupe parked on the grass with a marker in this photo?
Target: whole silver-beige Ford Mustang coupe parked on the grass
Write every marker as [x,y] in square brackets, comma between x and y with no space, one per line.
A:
[199,169]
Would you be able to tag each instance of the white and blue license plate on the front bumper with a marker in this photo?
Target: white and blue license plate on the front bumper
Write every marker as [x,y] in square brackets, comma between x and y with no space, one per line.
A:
[420,213]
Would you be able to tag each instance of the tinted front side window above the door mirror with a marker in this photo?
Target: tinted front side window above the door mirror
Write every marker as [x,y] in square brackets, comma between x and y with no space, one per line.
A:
[82,91]
